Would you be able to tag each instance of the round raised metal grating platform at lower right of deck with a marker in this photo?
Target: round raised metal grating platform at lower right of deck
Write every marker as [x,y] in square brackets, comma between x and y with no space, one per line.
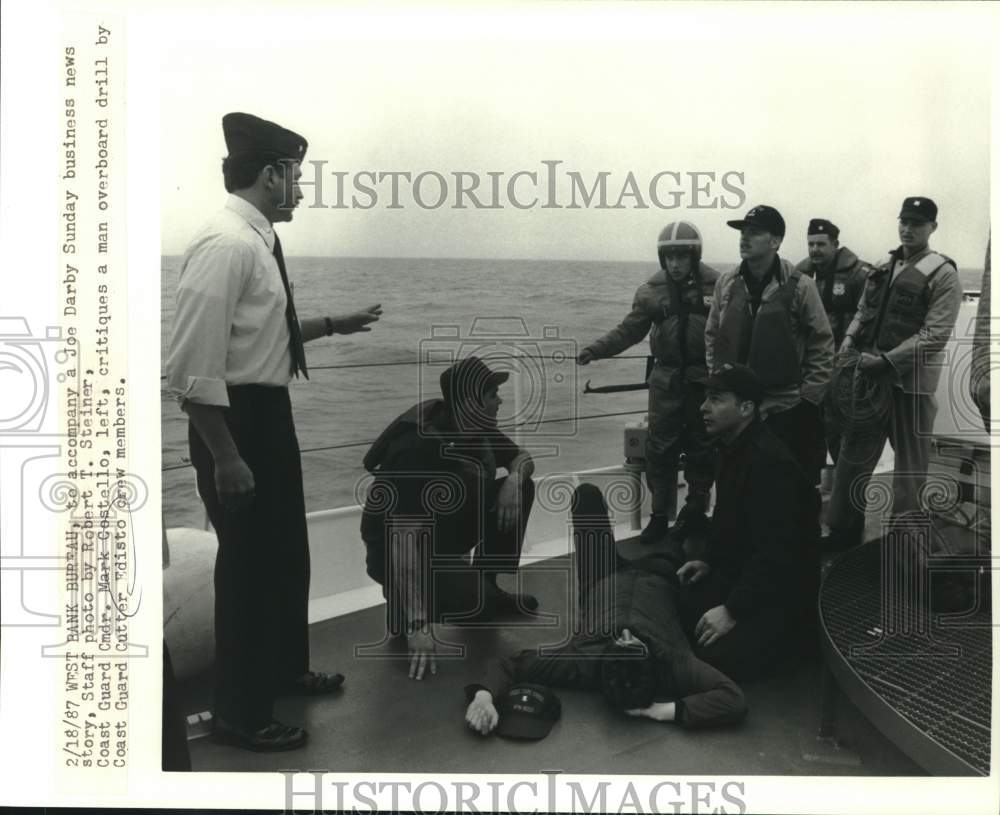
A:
[943,699]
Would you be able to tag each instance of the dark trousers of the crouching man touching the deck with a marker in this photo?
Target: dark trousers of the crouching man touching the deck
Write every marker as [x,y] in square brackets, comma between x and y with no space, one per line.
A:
[462,591]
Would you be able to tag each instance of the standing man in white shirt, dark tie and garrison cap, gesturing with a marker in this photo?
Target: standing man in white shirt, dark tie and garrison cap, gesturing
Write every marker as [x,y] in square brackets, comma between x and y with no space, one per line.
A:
[235,346]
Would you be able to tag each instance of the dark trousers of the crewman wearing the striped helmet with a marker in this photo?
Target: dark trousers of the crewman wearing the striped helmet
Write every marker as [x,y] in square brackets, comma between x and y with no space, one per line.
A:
[675,427]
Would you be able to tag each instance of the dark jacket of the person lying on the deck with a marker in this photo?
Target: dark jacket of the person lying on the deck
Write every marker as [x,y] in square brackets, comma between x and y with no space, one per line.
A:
[644,601]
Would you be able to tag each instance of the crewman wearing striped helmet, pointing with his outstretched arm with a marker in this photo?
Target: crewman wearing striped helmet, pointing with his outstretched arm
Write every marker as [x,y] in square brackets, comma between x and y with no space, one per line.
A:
[672,307]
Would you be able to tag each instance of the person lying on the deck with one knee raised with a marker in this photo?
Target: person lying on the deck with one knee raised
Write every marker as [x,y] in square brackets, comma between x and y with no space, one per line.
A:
[628,645]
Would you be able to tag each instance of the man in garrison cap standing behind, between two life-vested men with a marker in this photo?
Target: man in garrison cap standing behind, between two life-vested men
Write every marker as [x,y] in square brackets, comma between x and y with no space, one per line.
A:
[840,277]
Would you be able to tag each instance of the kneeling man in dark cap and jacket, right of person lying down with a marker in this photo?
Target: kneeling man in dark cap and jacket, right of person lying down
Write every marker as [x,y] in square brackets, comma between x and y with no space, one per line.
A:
[748,604]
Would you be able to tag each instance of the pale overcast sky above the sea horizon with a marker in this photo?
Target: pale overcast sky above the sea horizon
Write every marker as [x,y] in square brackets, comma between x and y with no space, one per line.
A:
[824,111]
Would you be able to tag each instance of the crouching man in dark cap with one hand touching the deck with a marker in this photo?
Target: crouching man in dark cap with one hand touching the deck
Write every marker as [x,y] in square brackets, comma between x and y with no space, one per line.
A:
[435,500]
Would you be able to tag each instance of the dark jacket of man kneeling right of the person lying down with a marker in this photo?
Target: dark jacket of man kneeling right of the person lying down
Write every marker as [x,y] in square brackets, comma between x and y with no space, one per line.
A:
[764,533]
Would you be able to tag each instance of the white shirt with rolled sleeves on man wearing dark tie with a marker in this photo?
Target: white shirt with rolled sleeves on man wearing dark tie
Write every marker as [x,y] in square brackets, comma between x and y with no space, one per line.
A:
[230,326]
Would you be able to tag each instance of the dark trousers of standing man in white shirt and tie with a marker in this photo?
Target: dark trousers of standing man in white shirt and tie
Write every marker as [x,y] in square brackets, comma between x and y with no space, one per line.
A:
[262,565]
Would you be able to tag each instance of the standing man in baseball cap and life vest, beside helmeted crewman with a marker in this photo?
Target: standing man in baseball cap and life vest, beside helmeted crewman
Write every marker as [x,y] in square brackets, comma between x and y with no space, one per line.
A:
[769,316]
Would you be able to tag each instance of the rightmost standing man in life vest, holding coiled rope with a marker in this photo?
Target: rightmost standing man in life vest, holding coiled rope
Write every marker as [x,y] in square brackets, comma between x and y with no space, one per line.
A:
[904,319]
